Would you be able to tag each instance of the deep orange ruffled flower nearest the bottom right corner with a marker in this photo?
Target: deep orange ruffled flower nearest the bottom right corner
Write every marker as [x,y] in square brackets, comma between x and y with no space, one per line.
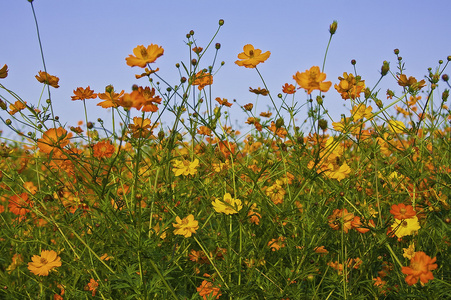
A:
[420,268]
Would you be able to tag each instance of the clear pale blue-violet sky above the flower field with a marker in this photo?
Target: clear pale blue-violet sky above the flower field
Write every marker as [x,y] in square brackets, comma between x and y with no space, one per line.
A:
[86,42]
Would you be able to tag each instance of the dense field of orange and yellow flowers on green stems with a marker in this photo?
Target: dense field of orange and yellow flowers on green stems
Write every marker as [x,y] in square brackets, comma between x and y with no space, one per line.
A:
[290,207]
